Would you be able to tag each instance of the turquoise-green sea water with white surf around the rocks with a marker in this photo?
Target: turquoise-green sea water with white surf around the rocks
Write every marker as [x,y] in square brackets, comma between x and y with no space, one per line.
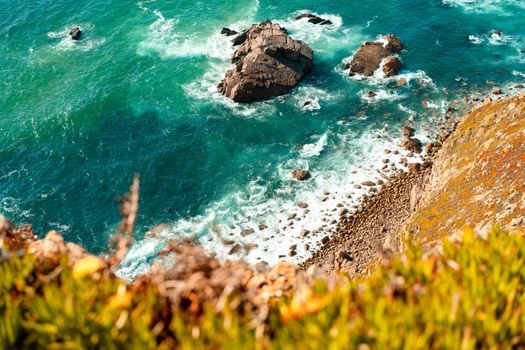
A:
[137,94]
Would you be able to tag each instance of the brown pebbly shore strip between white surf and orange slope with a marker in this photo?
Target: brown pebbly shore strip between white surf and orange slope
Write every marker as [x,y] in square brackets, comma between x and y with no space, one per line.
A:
[365,237]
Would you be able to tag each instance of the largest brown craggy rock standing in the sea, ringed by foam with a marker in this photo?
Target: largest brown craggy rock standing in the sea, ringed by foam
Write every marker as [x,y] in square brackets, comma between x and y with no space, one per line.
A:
[269,63]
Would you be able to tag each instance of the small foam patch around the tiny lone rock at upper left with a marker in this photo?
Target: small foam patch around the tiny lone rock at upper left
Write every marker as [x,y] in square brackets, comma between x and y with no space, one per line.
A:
[65,43]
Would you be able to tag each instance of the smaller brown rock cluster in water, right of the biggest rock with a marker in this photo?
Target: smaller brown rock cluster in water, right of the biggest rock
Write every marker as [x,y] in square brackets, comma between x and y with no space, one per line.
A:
[369,56]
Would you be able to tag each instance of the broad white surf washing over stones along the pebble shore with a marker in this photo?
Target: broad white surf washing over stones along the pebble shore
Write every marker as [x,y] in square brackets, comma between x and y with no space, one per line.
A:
[336,167]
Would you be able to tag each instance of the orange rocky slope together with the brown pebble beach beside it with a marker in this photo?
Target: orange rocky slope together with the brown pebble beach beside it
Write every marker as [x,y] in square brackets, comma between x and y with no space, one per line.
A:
[477,179]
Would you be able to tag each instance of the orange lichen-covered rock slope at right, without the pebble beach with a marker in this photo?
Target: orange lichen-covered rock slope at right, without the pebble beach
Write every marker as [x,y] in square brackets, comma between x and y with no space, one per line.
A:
[478,177]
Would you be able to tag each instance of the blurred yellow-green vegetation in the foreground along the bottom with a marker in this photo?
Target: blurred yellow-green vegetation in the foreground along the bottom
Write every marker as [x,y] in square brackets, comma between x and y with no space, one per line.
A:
[468,293]
